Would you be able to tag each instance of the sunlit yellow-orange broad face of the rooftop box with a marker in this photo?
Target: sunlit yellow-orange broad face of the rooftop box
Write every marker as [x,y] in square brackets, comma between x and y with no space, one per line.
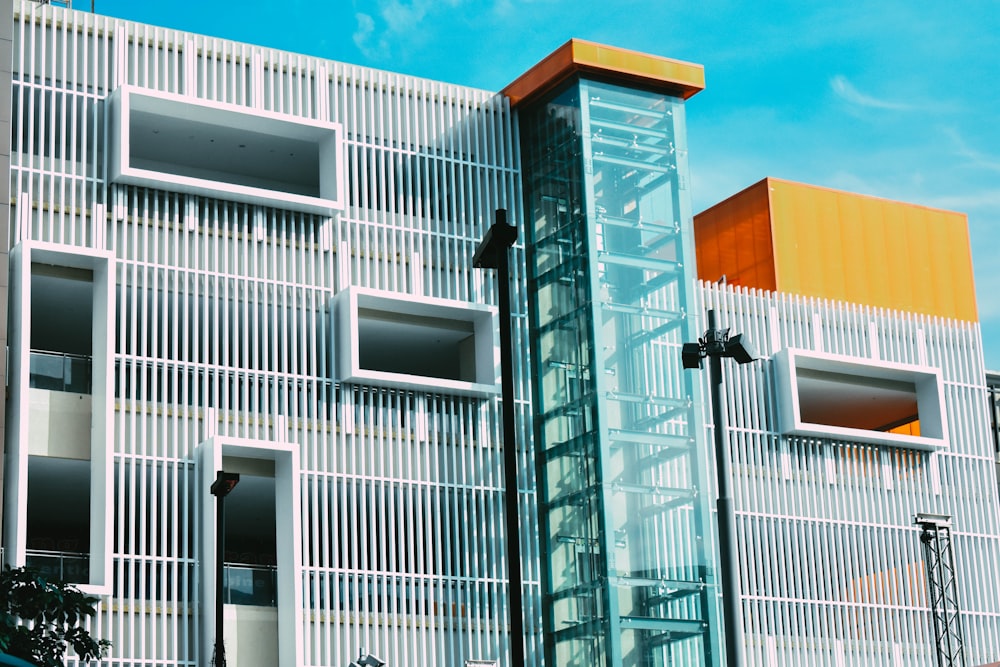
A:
[848,247]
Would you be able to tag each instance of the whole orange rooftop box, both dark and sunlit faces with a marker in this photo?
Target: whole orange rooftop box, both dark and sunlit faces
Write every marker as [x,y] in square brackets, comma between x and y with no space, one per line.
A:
[802,239]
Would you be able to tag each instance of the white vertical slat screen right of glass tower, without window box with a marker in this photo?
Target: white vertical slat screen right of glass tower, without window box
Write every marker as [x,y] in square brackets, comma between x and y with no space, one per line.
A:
[831,561]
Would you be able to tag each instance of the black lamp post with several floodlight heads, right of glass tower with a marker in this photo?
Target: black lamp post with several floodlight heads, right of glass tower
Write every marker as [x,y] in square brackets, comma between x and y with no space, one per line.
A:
[716,344]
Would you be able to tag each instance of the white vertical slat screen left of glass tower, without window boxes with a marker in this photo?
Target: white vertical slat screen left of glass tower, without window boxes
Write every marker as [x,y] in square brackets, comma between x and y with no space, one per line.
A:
[221,330]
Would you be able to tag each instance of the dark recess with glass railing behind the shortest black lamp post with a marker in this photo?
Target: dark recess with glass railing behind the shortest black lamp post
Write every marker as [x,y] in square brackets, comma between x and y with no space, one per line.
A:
[251,555]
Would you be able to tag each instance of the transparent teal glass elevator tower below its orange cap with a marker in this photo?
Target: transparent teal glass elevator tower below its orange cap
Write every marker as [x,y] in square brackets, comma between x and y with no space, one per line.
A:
[625,502]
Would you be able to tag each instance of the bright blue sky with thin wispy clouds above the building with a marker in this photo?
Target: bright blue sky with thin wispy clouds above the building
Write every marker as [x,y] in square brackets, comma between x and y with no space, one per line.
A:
[896,99]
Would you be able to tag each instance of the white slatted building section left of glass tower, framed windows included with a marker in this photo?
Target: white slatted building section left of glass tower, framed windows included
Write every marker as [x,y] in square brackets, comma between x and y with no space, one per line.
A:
[228,257]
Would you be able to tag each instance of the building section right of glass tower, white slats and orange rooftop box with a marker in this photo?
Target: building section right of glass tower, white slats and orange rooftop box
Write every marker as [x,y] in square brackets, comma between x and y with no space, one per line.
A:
[863,417]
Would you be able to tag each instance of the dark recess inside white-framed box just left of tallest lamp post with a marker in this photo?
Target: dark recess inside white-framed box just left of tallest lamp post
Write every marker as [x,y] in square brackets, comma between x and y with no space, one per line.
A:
[395,342]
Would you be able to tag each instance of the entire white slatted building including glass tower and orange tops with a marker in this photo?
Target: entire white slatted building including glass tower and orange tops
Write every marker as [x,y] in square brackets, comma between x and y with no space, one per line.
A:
[226,257]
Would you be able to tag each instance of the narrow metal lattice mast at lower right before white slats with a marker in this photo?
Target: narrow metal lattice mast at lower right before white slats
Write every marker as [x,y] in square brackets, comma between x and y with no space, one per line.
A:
[935,535]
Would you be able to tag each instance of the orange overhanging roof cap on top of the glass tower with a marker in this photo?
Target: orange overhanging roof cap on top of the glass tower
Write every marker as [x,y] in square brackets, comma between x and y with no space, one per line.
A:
[577,56]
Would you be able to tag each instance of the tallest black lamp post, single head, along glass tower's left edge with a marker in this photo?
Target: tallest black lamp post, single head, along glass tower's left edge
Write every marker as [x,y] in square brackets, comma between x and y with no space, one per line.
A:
[493,253]
